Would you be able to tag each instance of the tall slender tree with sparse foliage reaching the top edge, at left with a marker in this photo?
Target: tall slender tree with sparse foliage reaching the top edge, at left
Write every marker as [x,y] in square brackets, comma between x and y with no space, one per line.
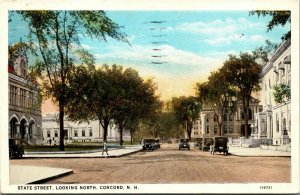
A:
[54,35]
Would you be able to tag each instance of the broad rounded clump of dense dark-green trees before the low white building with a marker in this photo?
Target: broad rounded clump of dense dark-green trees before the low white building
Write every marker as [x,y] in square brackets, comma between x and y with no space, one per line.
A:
[110,94]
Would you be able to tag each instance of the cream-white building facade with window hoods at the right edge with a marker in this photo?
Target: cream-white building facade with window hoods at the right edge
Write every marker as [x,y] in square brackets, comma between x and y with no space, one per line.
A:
[275,119]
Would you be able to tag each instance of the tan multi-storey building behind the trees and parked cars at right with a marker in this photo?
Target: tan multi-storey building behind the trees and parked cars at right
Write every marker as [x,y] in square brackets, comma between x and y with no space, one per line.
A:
[232,125]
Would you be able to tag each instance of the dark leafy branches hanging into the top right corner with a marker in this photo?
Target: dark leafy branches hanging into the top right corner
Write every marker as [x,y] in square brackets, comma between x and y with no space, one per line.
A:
[278,18]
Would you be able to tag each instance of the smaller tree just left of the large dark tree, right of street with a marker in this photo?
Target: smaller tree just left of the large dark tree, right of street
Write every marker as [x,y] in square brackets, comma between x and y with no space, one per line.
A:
[219,97]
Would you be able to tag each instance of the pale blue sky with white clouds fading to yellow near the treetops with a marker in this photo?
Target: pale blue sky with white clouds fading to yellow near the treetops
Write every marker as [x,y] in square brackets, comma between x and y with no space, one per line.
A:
[191,43]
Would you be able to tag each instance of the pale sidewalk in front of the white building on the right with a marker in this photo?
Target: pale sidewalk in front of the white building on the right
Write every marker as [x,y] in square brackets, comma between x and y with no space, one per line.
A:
[257,152]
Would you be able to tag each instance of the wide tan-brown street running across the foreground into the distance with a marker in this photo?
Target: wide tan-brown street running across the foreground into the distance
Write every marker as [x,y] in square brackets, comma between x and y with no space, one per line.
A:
[168,165]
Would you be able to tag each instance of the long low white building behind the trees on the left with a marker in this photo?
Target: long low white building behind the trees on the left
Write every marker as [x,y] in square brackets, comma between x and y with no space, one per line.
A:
[77,132]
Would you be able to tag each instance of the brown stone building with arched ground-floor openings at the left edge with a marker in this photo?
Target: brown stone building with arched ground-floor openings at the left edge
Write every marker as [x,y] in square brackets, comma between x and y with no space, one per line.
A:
[24,102]
